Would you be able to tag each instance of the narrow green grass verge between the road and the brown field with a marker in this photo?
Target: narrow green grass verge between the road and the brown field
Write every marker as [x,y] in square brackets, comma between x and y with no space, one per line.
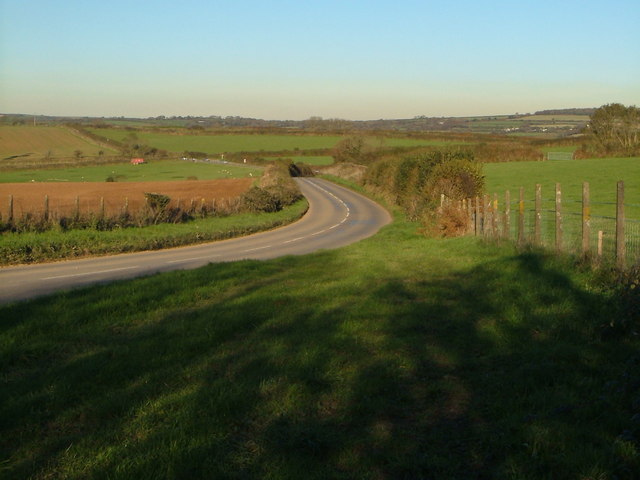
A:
[51,245]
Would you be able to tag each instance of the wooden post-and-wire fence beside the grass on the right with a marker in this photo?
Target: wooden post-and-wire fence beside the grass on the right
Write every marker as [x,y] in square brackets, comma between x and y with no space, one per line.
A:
[551,224]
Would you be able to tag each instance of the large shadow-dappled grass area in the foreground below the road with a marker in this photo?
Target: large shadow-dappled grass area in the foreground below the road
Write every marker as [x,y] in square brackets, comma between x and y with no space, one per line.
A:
[397,357]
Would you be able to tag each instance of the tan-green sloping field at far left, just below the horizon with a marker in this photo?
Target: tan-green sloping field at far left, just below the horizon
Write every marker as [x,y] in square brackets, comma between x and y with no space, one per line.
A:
[34,142]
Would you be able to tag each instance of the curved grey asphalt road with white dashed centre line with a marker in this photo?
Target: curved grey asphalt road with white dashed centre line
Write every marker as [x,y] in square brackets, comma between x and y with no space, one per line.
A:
[336,217]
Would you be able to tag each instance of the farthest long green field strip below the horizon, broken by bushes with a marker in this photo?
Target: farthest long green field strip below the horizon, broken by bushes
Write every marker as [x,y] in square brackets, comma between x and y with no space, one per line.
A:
[216,144]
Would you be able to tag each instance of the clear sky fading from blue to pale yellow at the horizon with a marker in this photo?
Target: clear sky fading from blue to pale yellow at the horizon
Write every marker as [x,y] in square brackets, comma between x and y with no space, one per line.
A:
[347,59]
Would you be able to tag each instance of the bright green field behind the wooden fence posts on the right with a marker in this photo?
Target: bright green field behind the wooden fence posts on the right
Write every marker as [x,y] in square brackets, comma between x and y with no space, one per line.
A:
[601,173]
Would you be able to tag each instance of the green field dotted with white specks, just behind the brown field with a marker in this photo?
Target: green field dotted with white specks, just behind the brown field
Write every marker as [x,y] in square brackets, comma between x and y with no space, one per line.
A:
[164,170]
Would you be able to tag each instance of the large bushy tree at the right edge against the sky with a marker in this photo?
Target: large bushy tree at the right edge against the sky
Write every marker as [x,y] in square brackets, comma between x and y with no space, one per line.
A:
[616,128]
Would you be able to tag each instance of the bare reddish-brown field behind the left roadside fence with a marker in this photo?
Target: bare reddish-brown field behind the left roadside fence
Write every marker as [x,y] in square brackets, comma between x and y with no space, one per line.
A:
[29,197]
